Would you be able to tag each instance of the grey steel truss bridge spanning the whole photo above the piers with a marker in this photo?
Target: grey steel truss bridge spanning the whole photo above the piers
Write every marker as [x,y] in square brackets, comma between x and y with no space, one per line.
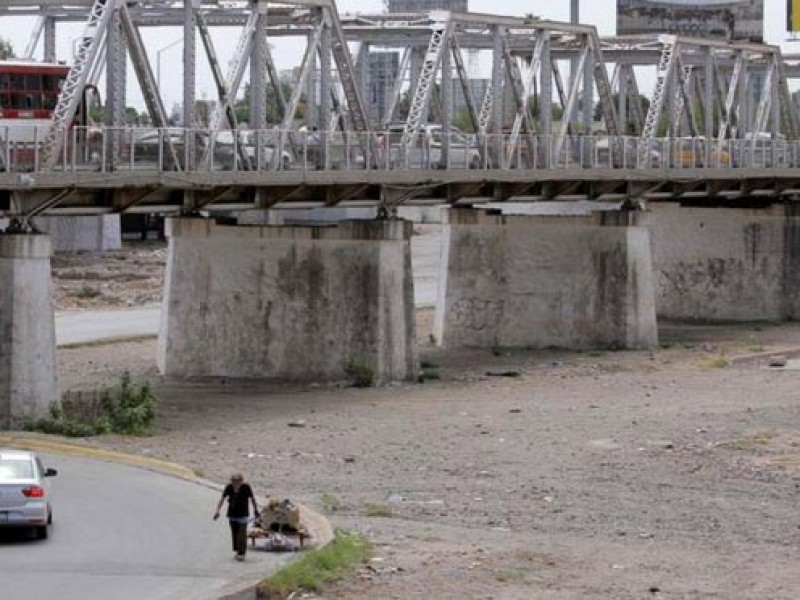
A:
[719,124]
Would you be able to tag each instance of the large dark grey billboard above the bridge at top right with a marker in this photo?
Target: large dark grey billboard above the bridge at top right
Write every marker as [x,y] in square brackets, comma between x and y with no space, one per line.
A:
[726,19]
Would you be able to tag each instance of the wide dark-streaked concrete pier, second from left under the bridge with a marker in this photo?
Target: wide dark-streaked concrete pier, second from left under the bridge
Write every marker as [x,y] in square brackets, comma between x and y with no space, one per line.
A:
[290,303]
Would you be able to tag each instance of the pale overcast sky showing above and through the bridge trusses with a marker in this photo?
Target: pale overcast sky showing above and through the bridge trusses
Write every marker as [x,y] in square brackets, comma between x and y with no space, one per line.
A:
[600,13]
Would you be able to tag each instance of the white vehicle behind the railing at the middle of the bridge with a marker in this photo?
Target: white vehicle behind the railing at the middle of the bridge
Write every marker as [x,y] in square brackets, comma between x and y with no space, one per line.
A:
[425,149]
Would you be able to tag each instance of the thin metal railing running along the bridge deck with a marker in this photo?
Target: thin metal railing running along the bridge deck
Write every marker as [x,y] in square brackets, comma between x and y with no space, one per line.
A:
[142,149]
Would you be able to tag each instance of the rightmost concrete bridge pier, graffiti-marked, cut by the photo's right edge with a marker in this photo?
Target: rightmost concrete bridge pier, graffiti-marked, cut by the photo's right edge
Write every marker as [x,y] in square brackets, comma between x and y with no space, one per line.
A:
[718,264]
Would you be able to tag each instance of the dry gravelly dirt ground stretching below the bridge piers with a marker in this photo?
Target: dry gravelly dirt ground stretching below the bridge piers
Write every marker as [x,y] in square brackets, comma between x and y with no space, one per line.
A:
[665,474]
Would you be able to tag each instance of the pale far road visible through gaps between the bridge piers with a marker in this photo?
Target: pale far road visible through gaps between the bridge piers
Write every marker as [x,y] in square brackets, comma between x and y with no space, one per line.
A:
[79,327]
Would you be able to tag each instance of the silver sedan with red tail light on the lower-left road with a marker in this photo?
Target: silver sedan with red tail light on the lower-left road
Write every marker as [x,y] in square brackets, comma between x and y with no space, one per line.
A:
[25,492]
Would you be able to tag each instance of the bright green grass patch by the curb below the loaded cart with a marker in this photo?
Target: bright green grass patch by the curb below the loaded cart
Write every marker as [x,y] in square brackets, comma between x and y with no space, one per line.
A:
[315,569]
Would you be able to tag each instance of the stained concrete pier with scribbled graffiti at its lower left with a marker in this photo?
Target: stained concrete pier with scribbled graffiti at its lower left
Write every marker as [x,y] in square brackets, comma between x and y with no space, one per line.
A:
[576,282]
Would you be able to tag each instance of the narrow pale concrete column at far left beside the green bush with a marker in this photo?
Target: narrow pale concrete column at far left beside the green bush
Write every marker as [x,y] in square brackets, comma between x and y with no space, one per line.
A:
[27,329]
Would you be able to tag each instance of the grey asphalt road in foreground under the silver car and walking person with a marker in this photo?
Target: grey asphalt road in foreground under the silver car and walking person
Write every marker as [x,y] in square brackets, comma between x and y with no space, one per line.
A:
[127,534]
